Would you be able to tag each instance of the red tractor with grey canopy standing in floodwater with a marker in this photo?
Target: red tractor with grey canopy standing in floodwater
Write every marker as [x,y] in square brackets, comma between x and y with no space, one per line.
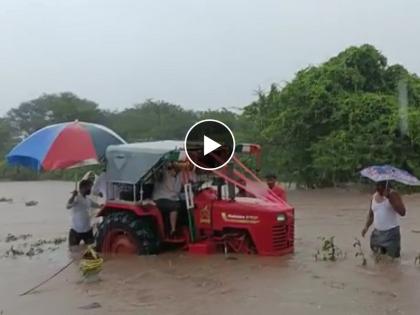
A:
[229,208]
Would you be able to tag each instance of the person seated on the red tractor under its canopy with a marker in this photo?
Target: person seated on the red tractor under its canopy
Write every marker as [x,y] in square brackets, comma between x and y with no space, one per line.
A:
[166,195]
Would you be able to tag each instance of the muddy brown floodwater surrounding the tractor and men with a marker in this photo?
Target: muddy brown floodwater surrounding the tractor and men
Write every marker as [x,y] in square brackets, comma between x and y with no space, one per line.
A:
[178,283]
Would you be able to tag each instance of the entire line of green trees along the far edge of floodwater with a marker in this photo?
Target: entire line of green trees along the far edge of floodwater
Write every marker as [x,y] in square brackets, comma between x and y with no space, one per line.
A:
[319,129]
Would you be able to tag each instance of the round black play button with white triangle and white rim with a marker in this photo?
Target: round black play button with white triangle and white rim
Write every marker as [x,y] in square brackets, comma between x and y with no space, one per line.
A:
[209,144]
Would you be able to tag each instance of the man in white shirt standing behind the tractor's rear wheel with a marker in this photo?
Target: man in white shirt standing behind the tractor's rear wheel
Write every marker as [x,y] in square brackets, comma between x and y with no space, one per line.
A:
[80,205]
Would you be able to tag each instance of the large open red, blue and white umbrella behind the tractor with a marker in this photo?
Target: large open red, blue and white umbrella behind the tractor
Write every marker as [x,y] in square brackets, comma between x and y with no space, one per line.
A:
[63,146]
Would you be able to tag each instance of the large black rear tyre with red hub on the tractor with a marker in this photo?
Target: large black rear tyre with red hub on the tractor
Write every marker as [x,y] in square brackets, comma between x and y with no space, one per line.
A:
[126,233]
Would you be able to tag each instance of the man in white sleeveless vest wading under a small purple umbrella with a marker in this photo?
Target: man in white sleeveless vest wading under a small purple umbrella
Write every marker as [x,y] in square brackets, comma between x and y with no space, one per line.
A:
[386,208]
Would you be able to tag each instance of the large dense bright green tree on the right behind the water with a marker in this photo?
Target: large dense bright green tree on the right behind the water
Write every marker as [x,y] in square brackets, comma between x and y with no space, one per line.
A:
[333,119]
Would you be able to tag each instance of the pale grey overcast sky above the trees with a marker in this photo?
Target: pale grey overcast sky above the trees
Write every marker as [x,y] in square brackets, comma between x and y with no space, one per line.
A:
[195,53]
